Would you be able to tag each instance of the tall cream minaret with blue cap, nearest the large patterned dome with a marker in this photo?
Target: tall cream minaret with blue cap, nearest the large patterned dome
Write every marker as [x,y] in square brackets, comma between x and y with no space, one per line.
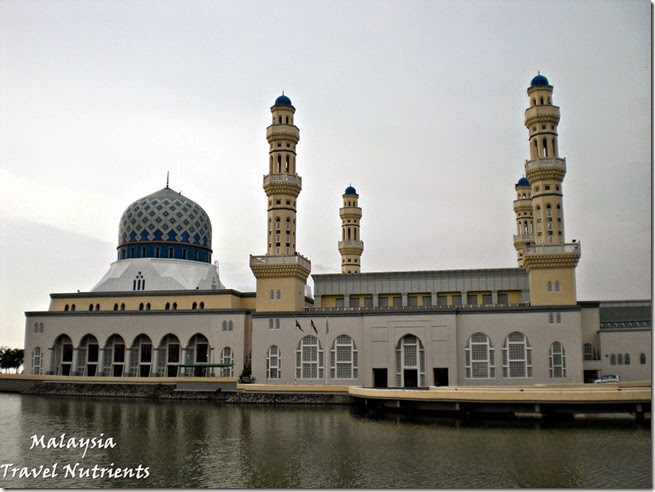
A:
[282,273]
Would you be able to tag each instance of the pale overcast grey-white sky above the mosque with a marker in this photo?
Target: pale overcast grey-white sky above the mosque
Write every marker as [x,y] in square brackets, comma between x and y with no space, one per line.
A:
[418,104]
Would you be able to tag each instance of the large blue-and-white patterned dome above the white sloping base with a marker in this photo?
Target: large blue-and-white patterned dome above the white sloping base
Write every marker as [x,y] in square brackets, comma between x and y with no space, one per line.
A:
[165,224]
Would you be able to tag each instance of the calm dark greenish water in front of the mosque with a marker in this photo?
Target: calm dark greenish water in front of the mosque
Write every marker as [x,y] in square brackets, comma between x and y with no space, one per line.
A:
[213,445]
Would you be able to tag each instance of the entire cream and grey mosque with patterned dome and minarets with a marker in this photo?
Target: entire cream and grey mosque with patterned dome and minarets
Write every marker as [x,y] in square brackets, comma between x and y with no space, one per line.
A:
[161,310]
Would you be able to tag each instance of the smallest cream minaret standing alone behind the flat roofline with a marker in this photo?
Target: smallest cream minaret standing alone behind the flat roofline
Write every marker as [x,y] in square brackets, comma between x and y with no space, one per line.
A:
[350,246]
